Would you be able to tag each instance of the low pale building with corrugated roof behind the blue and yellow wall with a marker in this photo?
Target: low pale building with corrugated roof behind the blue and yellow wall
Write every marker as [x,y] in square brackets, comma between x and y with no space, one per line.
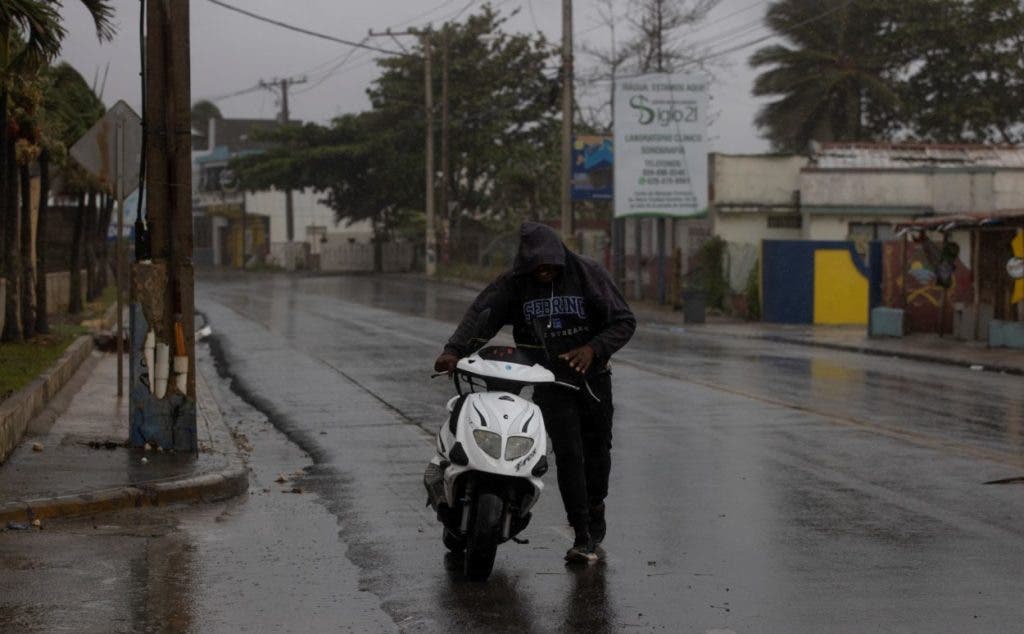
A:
[856,192]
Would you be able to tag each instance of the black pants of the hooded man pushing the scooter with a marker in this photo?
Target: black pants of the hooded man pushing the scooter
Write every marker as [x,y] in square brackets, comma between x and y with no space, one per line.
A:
[580,428]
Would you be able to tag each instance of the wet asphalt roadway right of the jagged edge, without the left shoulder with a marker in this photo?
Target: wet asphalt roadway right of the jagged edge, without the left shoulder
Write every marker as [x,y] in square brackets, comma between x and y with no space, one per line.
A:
[757,487]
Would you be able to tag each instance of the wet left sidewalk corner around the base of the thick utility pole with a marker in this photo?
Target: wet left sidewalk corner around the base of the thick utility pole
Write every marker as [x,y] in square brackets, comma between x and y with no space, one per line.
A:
[73,460]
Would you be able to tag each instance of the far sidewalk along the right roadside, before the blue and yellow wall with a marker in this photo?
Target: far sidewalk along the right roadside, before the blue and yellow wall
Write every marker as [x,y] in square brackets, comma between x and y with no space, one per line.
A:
[919,347]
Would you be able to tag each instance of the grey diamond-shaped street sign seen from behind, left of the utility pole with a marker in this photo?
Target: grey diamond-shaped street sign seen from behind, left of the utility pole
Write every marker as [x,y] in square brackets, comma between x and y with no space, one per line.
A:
[98,153]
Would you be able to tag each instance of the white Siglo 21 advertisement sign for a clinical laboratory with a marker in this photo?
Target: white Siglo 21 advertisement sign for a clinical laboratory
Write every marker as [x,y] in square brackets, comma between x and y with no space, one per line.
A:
[661,142]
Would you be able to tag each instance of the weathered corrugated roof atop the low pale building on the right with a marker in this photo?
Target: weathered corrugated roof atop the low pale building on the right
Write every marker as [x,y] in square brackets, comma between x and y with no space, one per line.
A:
[915,156]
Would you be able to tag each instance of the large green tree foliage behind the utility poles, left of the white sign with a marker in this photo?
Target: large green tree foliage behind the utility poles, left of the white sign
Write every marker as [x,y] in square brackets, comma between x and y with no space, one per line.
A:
[504,134]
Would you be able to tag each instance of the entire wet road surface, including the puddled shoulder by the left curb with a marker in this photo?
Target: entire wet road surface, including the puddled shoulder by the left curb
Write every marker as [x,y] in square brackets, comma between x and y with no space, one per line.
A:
[756,488]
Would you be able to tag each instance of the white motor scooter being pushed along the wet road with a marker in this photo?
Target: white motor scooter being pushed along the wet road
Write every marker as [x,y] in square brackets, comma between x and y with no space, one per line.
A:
[492,452]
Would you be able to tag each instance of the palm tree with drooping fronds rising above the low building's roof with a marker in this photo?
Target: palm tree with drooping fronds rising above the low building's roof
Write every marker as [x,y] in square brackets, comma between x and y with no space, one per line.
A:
[836,78]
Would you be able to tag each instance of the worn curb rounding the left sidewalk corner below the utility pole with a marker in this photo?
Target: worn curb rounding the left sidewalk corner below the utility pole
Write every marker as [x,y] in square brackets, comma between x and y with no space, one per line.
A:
[218,486]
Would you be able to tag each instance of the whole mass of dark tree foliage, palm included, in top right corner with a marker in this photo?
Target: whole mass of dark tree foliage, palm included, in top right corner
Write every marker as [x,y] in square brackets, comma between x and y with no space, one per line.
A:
[882,70]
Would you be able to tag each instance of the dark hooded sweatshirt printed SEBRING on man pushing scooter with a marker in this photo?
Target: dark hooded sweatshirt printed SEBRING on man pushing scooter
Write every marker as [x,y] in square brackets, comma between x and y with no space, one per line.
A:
[580,307]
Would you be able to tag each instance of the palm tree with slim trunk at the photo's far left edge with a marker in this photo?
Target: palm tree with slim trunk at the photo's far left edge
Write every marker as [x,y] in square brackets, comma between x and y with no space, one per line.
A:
[31,33]
